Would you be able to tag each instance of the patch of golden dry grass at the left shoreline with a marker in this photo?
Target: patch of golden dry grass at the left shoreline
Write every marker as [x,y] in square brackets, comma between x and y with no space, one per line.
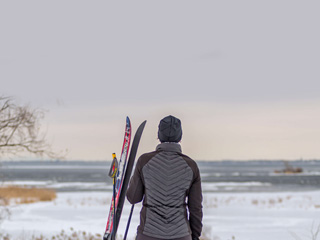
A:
[26,195]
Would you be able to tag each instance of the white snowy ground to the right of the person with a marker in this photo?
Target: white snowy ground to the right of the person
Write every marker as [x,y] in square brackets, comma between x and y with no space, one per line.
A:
[261,216]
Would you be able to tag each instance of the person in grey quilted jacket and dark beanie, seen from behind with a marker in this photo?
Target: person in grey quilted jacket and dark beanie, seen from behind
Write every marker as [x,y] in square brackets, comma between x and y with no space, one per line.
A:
[169,184]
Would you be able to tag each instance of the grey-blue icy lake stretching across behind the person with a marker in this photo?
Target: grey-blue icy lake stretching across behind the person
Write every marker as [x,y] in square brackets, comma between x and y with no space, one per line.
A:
[217,176]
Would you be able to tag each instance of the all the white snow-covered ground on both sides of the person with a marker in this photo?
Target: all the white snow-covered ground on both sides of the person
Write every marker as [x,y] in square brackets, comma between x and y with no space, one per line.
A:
[227,216]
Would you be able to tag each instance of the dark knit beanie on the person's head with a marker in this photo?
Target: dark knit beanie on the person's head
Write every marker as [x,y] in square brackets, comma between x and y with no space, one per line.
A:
[170,129]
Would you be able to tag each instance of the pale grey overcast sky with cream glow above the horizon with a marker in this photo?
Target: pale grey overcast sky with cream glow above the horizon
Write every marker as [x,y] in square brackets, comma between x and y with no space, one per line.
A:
[243,76]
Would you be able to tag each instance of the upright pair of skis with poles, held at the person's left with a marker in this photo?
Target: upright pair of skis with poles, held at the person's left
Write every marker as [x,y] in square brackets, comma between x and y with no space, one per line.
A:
[123,170]
